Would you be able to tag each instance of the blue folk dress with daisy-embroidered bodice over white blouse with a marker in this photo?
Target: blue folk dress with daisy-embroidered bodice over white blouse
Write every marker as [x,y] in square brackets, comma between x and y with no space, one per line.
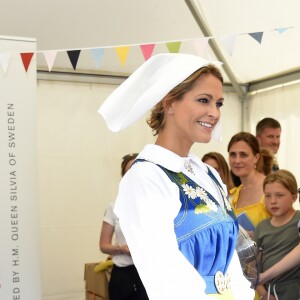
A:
[206,232]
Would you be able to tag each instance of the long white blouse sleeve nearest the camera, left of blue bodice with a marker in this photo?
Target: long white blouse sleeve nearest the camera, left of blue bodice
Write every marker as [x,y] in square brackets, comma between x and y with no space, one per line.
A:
[146,205]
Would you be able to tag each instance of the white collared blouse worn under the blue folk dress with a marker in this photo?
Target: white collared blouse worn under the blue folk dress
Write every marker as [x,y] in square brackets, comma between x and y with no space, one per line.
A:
[147,204]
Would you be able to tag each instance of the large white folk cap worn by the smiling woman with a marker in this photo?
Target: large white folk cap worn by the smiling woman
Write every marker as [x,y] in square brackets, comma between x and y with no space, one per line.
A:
[148,85]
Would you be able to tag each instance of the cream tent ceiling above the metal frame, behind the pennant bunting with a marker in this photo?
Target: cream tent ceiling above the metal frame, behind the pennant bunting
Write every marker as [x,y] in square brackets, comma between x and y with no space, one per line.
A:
[71,25]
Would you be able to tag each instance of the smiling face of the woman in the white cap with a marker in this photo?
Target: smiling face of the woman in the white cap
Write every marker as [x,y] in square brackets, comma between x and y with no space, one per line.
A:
[193,118]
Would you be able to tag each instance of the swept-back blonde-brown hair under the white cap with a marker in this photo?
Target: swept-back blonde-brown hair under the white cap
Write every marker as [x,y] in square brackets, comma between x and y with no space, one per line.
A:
[157,117]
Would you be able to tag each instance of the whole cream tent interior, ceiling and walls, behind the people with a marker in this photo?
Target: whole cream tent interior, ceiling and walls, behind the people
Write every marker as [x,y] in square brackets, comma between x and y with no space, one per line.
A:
[79,158]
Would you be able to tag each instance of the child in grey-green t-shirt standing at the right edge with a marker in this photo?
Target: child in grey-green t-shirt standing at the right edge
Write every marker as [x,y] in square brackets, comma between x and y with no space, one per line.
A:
[278,235]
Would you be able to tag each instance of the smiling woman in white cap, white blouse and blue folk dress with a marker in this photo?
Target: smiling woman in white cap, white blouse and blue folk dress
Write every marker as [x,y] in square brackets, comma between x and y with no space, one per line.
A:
[172,208]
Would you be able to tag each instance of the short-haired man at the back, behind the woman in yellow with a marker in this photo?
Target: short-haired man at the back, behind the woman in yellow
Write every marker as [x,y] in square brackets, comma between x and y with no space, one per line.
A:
[268,132]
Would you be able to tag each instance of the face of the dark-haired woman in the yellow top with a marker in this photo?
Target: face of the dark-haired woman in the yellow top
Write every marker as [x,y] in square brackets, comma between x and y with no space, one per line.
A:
[242,161]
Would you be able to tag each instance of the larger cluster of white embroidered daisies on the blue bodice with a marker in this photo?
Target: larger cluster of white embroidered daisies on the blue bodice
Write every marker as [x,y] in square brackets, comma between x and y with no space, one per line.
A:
[199,192]
